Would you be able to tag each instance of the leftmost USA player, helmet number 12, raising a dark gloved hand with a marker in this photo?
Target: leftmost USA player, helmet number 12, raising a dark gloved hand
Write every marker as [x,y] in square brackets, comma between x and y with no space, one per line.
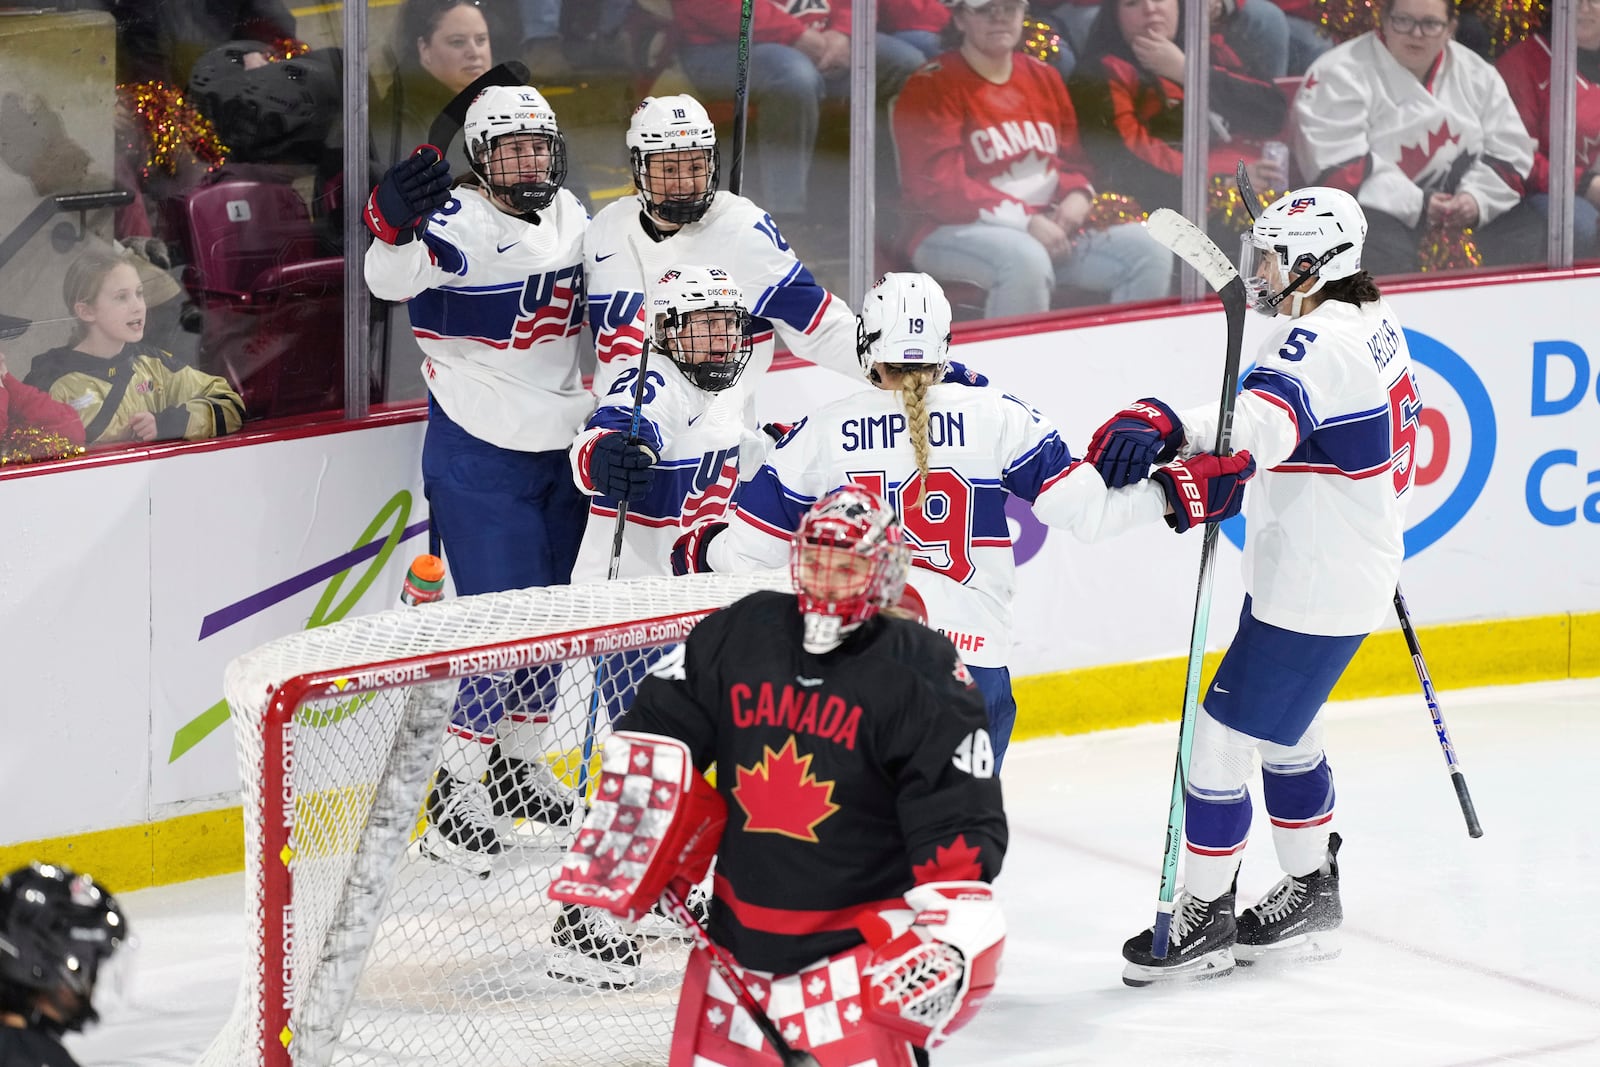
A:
[494,278]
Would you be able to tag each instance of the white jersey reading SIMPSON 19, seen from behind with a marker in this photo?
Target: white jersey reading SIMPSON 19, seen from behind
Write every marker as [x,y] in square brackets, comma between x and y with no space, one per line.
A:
[983,447]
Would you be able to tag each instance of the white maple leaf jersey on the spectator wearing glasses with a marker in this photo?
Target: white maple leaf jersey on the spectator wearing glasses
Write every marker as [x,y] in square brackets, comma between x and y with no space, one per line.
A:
[1370,127]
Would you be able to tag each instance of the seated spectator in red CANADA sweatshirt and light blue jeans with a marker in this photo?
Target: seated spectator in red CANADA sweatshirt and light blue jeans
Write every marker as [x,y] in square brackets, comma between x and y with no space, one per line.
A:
[996,190]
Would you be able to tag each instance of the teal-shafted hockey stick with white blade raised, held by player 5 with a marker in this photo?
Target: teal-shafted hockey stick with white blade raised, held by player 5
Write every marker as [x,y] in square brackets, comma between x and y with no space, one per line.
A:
[1190,244]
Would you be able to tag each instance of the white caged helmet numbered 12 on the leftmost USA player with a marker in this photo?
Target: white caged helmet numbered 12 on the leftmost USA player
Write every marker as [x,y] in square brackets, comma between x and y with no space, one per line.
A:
[516,148]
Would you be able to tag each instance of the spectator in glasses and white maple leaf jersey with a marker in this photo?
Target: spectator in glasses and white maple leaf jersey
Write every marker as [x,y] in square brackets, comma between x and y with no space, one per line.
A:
[1425,135]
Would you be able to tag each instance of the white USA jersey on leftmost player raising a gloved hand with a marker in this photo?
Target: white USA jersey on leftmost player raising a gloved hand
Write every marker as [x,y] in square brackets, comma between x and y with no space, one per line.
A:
[497,306]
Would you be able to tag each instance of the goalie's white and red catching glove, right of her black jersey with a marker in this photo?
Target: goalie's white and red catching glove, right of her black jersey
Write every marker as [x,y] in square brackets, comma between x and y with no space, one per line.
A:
[934,967]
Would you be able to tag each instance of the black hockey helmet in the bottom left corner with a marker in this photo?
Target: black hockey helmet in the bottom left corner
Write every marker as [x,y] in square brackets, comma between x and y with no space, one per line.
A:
[57,932]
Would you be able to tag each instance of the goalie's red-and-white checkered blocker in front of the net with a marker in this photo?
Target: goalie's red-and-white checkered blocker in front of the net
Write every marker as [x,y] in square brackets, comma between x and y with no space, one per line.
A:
[654,821]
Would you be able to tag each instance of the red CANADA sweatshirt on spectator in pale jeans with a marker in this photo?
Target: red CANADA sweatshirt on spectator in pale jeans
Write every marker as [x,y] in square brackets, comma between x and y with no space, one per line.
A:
[974,151]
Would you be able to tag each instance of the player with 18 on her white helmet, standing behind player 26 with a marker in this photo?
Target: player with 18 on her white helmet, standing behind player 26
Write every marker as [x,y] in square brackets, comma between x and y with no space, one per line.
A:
[682,217]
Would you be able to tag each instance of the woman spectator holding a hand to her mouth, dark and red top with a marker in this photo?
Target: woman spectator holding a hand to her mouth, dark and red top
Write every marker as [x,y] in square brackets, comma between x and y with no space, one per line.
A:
[1130,98]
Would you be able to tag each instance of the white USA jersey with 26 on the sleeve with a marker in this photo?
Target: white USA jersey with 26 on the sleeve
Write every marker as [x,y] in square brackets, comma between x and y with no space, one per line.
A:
[697,438]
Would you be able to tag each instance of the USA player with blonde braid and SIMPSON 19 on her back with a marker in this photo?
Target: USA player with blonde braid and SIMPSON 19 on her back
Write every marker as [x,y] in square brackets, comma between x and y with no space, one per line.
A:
[945,455]
